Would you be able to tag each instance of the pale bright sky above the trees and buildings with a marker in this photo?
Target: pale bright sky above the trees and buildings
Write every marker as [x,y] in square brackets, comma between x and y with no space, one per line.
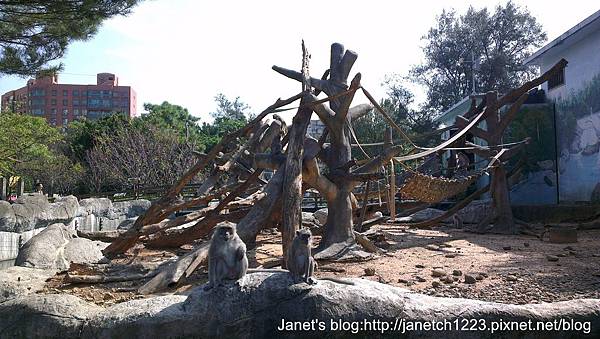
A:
[187,51]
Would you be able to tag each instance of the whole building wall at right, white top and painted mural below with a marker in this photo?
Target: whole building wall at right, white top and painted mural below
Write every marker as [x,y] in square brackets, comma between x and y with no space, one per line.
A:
[577,117]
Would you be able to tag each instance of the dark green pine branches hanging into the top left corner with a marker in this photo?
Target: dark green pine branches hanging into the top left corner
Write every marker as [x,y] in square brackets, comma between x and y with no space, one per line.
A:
[35,32]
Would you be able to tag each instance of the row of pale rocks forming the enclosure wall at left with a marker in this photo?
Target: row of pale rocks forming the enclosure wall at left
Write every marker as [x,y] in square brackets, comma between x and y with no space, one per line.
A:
[32,213]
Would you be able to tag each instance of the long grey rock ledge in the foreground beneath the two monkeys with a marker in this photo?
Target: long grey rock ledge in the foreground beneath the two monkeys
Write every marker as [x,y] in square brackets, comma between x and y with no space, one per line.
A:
[266,300]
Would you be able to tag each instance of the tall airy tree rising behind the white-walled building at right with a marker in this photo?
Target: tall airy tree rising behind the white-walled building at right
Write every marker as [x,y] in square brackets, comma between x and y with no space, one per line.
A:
[487,47]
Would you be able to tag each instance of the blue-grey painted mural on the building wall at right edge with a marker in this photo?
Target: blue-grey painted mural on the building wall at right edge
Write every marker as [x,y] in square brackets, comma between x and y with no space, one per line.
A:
[578,126]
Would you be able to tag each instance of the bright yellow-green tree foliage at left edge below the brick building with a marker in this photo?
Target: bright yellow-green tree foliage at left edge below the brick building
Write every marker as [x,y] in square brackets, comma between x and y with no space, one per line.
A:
[24,140]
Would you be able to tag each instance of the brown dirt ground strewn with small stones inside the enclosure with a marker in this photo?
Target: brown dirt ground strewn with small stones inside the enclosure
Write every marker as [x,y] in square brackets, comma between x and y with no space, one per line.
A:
[442,262]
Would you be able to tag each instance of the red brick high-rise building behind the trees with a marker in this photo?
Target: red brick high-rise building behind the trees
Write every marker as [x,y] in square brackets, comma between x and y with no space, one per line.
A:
[62,103]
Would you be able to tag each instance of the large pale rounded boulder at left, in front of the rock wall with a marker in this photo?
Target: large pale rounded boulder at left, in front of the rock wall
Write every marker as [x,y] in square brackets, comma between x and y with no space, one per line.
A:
[56,247]
